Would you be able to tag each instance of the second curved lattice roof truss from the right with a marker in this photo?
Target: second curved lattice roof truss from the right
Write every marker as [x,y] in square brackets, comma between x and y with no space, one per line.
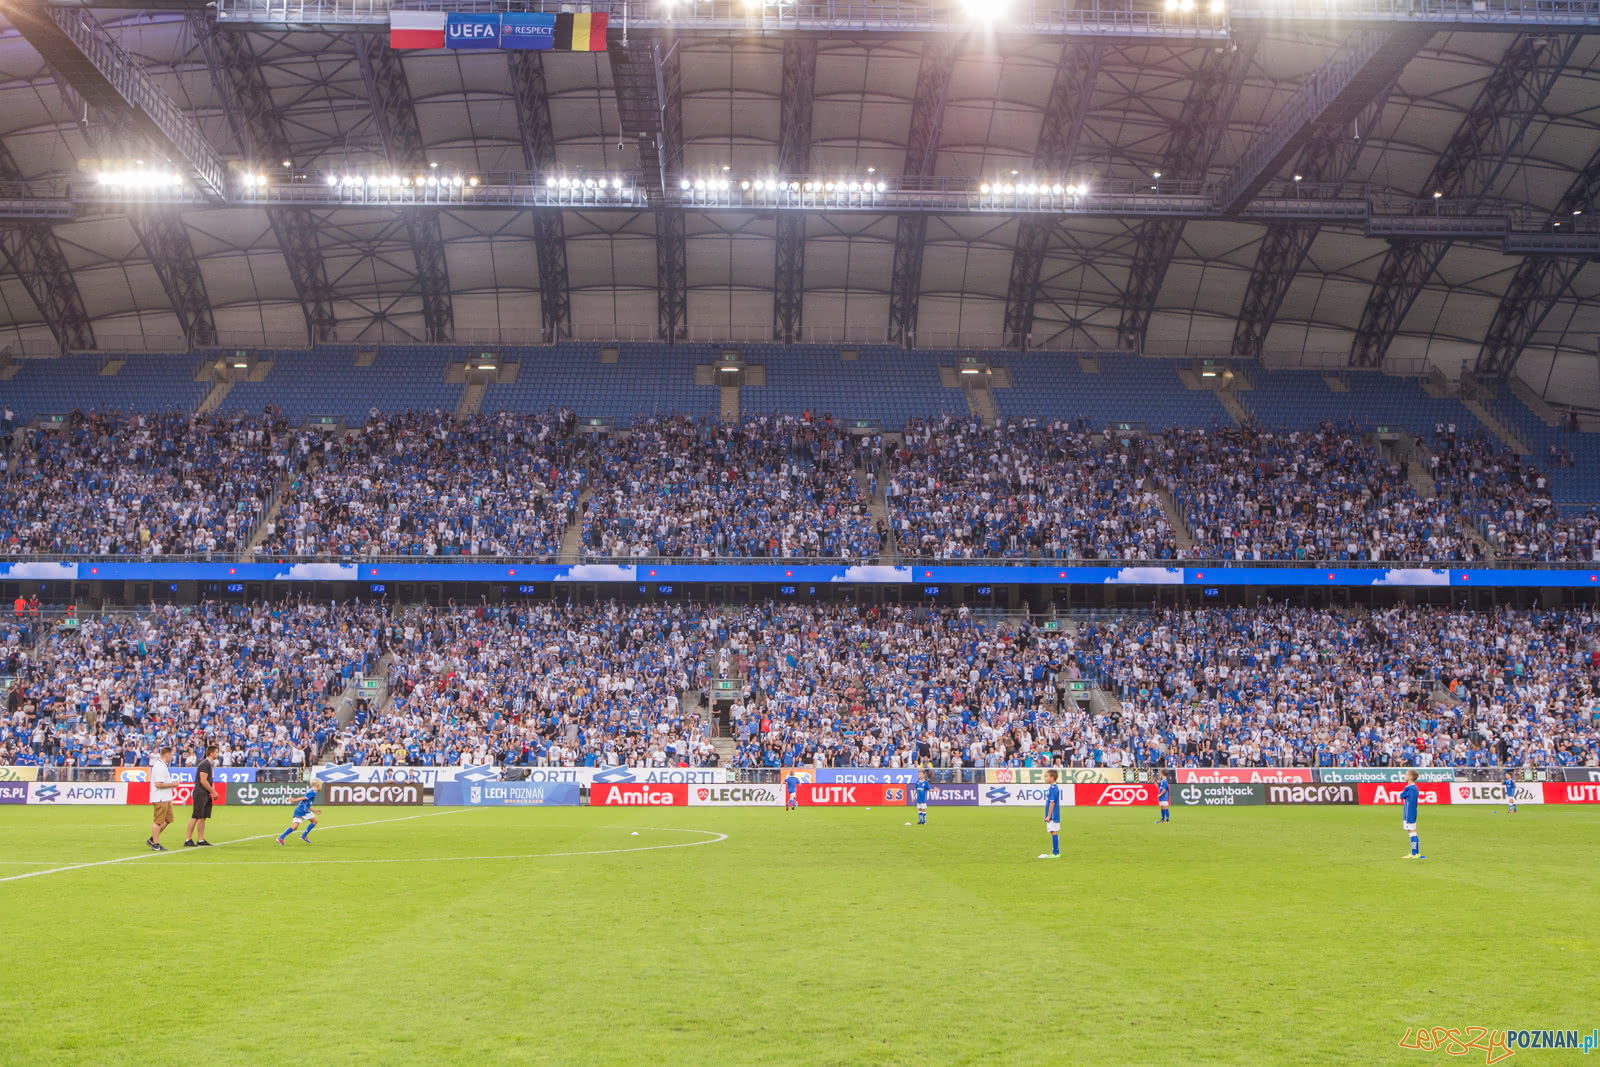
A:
[1466,172]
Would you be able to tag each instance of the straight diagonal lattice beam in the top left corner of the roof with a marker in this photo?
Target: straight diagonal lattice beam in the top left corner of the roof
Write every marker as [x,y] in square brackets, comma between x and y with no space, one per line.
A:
[86,57]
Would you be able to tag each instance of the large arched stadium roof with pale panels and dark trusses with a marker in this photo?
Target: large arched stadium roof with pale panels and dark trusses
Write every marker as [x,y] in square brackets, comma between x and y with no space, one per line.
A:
[1215,260]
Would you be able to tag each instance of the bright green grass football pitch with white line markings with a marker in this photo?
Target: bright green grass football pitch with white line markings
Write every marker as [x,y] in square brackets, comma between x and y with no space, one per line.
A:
[823,937]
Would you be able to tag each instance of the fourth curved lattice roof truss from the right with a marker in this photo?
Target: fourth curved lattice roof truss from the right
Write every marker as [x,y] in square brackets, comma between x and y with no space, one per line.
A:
[1201,127]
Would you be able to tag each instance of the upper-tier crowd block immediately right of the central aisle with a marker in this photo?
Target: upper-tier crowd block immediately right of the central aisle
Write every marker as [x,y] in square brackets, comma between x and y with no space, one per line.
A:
[1023,490]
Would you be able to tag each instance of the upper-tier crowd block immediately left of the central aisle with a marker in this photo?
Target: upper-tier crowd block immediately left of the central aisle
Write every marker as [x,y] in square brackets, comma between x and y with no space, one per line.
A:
[766,487]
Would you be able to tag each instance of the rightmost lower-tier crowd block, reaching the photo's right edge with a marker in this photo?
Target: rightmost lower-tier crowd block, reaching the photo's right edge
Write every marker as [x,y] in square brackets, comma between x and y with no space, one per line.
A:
[1273,685]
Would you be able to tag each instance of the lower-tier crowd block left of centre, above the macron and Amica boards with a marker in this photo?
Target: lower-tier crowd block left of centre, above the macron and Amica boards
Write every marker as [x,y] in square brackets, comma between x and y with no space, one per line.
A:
[538,684]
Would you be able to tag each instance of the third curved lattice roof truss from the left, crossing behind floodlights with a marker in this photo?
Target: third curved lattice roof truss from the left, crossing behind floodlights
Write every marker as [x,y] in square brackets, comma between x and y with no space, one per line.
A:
[258,126]
